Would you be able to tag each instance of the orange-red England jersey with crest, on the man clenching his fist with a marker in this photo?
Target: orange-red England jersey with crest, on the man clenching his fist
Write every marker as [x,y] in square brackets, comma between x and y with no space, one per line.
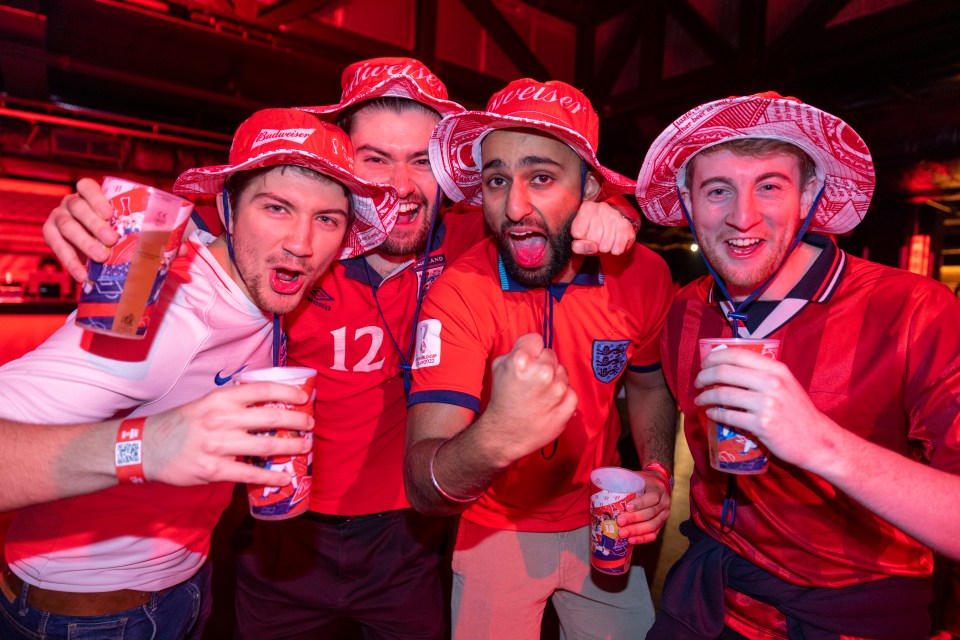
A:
[607,319]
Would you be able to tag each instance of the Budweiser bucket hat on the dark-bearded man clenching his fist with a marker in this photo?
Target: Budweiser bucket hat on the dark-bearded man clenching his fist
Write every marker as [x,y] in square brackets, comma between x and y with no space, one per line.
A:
[553,107]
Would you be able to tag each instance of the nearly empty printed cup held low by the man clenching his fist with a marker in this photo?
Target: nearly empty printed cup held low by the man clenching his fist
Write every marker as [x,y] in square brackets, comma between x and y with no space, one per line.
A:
[611,489]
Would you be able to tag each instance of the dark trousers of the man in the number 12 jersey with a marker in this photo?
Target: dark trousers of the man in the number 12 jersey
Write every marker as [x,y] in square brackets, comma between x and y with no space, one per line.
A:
[301,578]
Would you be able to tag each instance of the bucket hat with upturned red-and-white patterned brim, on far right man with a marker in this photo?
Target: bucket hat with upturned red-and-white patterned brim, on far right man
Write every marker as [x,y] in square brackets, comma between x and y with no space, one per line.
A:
[843,164]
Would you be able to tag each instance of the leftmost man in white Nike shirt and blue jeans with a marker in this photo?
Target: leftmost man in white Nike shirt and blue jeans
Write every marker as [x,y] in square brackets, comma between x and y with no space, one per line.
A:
[133,560]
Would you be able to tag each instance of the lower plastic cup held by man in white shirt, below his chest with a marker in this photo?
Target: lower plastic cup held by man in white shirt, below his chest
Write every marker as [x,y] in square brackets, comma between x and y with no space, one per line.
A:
[280,503]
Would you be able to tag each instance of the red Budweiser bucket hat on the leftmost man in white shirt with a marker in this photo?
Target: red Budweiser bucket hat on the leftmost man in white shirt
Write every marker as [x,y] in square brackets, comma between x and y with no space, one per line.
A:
[288,136]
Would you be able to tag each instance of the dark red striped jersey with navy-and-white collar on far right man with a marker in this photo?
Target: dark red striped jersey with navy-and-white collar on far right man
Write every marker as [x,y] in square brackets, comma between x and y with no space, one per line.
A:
[878,351]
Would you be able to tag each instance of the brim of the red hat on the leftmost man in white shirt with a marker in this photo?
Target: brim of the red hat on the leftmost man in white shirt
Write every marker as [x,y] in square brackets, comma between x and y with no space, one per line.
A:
[375,207]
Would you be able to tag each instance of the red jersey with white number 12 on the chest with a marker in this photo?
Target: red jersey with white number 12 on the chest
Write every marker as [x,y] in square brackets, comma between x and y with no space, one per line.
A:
[356,329]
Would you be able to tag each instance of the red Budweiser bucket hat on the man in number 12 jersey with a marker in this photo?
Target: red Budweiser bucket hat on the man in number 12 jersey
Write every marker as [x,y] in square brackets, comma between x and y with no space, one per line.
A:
[389,77]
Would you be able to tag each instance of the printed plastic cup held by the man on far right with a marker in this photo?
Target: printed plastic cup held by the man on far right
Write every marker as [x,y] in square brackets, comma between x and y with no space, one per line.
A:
[730,450]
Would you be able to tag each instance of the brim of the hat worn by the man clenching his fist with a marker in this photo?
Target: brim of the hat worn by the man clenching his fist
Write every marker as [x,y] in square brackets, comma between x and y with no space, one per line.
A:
[455,152]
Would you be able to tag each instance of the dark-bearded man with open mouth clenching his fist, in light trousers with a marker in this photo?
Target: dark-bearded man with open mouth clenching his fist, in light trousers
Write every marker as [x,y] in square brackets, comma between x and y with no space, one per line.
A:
[521,349]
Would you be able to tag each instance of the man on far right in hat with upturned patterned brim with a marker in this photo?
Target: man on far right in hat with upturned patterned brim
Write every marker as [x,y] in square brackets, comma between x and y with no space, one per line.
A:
[860,415]
